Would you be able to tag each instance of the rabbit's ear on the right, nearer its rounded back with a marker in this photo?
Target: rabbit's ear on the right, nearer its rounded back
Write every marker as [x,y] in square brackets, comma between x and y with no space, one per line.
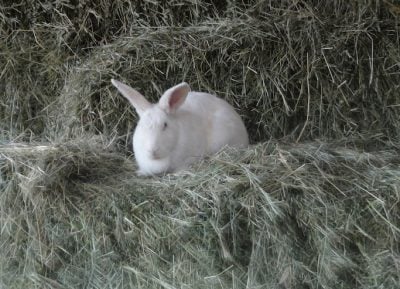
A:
[174,97]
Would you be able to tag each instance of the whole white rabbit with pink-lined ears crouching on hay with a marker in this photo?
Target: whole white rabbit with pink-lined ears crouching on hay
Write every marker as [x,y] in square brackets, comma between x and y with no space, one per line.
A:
[182,127]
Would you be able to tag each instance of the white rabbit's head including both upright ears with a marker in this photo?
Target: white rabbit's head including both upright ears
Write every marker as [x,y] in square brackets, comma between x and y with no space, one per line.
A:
[157,131]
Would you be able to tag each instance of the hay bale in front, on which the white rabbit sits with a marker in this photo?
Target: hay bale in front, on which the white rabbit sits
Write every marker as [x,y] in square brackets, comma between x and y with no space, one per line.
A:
[299,216]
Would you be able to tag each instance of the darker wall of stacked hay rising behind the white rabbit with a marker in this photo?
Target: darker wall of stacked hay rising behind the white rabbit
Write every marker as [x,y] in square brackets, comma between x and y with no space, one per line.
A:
[303,69]
